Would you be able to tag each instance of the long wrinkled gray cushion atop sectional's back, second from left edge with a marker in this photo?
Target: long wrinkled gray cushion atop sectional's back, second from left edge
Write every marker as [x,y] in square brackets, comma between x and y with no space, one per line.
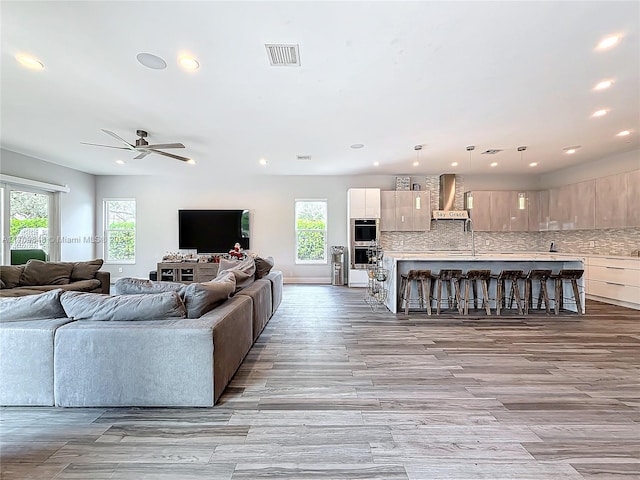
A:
[98,306]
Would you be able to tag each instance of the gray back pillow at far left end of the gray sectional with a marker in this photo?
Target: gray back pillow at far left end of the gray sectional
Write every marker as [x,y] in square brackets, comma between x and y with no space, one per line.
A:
[32,307]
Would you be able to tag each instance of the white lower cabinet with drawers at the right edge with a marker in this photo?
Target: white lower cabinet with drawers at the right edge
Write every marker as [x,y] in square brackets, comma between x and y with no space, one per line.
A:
[614,280]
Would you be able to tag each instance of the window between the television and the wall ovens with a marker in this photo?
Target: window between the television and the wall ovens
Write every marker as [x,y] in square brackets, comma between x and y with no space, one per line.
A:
[311,231]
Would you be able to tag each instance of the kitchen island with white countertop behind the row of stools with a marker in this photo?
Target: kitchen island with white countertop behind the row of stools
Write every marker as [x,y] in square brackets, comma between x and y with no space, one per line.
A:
[398,263]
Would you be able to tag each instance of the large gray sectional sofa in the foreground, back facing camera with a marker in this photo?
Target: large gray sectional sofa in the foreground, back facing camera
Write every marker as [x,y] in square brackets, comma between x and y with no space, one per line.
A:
[125,350]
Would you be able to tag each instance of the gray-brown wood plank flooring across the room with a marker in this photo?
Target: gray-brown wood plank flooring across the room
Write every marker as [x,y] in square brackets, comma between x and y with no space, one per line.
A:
[334,390]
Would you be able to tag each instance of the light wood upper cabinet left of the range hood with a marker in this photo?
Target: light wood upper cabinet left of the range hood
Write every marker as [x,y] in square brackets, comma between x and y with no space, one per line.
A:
[405,211]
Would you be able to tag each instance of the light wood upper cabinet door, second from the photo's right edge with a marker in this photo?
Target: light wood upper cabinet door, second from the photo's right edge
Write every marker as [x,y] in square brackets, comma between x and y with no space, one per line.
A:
[611,201]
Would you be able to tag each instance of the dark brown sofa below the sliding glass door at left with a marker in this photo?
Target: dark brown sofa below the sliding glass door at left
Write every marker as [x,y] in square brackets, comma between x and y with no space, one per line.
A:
[37,276]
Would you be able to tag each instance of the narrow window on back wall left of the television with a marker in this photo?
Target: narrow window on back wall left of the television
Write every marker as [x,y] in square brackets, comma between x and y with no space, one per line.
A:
[120,230]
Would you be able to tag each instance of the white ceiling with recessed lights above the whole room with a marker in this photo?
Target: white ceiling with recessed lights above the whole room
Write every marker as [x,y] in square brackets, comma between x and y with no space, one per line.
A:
[389,75]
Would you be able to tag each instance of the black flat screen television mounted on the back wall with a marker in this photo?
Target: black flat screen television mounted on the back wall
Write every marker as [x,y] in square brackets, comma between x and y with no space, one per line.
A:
[213,231]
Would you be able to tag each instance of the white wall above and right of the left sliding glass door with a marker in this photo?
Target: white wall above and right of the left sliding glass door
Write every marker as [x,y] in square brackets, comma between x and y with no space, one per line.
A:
[77,207]
